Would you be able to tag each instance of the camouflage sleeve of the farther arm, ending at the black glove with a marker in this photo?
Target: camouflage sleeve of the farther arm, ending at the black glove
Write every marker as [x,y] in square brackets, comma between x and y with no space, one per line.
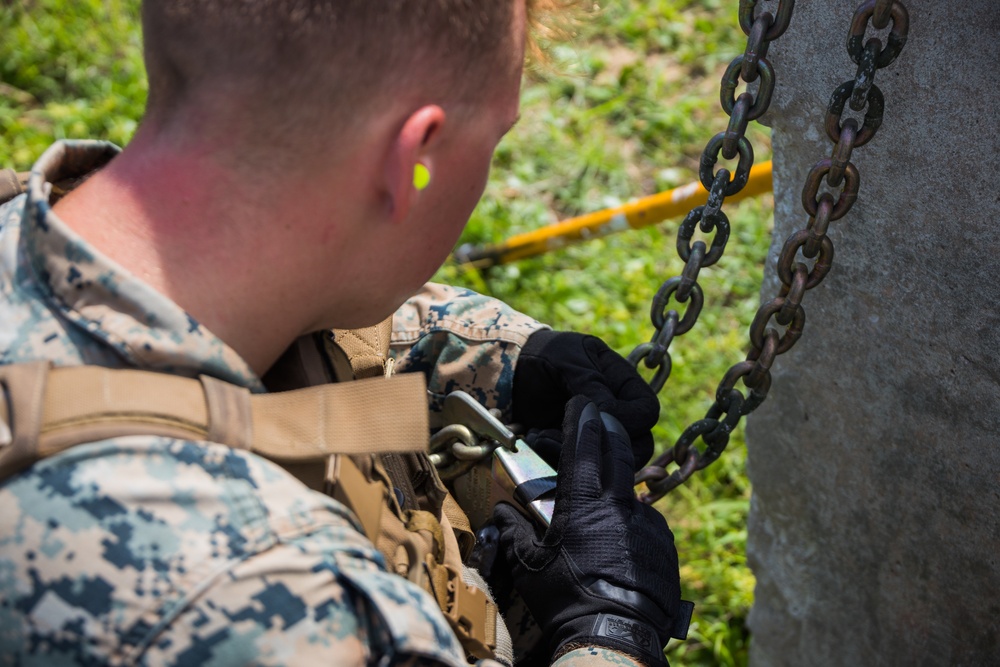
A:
[461,340]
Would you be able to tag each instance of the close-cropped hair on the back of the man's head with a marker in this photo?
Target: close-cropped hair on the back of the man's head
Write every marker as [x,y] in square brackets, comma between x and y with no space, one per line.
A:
[318,65]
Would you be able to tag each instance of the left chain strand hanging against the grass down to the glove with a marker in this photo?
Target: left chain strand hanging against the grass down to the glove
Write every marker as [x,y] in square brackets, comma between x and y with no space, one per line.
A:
[684,289]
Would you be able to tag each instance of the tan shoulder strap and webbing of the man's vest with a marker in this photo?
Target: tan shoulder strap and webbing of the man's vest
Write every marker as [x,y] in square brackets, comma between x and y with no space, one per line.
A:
[48,410]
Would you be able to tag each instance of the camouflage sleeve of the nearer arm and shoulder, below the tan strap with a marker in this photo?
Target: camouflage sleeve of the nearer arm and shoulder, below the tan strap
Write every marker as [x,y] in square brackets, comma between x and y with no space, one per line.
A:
[146,550]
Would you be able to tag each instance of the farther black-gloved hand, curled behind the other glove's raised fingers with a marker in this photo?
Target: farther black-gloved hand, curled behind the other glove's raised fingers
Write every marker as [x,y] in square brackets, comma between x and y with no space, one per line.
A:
[554,366]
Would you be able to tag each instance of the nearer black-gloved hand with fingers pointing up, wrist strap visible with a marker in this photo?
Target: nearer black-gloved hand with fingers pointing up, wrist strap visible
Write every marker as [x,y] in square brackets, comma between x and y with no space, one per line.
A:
[605,572]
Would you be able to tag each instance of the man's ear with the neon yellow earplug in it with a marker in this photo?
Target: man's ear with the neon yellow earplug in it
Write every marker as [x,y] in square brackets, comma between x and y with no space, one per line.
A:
[412,145]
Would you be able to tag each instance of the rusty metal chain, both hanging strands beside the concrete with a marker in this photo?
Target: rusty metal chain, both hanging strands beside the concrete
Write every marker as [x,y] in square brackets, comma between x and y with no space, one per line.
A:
[811,243]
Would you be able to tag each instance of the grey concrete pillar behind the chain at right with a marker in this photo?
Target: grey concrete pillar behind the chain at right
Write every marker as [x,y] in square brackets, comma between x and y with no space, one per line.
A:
[875,523]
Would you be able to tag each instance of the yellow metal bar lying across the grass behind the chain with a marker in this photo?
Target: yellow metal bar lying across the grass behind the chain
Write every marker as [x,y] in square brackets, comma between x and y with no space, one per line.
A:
[634,215]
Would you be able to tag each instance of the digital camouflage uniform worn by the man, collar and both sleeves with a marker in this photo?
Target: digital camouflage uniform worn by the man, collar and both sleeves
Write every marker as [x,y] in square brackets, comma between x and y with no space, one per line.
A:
[150,550]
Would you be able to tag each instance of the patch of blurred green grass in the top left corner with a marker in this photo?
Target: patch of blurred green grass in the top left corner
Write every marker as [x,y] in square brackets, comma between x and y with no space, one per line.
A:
[68,69]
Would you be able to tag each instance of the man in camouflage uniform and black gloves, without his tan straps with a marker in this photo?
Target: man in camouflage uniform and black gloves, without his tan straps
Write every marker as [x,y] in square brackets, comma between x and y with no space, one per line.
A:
[265,210]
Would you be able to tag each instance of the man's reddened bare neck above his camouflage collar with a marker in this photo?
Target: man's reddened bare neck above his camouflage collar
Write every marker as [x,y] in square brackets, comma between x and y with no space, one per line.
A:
[222,245]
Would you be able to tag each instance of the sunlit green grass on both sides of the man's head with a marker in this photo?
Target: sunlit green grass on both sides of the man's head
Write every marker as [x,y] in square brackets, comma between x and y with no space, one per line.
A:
[622,111]
